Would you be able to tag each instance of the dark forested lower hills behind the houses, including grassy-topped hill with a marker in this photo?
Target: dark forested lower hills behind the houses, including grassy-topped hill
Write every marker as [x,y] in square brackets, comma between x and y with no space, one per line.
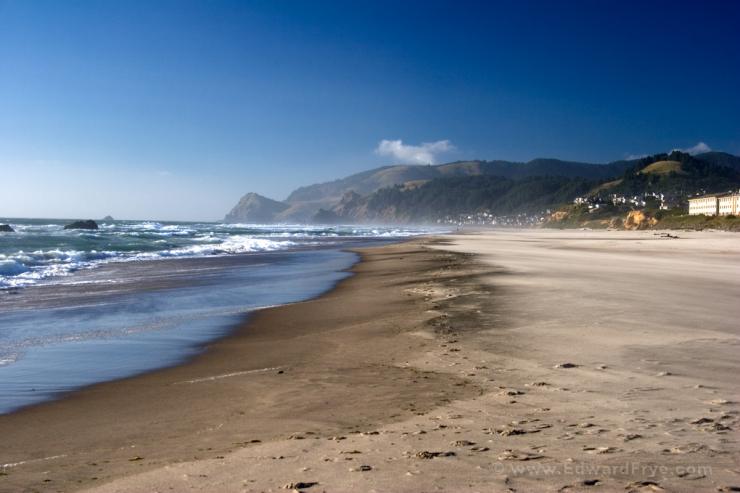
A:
[677,173]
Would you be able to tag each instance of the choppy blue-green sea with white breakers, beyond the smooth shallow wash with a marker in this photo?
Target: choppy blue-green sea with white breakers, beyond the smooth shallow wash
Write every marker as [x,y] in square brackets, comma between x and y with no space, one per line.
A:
[42,250]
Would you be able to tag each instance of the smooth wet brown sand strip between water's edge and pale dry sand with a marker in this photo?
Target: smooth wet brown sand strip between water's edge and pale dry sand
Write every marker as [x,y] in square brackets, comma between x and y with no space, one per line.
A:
[327,366]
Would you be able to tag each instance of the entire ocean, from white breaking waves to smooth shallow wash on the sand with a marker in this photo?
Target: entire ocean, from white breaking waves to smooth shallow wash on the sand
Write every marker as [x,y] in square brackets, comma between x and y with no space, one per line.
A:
[79,307]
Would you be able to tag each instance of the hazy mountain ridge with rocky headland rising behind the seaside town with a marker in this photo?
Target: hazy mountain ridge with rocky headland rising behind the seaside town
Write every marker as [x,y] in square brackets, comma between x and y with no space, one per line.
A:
[390,193]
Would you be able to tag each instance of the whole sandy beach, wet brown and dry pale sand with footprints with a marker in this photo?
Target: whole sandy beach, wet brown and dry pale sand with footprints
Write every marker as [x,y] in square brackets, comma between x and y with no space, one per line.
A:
[538,360]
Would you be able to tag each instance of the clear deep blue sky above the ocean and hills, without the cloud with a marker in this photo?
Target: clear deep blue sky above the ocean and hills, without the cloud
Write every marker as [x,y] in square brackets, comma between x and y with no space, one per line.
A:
[157,109]
